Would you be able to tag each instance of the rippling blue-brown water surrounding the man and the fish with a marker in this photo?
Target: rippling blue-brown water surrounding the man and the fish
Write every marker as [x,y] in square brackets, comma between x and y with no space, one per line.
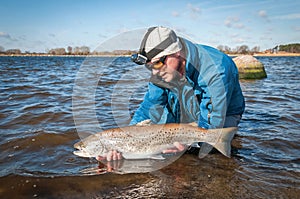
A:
[40,95]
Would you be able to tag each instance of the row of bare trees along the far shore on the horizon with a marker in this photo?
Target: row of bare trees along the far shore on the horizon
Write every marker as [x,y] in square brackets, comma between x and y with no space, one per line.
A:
[85,50]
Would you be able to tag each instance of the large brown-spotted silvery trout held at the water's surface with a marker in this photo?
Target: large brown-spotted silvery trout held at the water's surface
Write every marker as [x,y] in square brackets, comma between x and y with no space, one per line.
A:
[148,142]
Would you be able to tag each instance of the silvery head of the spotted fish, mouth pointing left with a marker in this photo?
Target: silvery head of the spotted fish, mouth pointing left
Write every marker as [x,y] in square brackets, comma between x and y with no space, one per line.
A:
[90,147]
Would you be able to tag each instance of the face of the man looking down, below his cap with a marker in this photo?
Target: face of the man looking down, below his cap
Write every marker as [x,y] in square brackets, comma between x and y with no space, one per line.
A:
[169,71]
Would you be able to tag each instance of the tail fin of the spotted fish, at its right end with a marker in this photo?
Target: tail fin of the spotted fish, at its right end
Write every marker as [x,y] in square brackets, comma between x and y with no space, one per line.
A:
[223,143]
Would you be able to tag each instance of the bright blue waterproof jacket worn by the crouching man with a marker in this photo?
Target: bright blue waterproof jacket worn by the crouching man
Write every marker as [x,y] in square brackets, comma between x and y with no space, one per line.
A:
[209,92]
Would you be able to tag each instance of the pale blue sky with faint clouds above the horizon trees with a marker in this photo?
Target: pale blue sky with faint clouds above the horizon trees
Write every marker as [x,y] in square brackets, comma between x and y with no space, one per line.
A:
[37,26]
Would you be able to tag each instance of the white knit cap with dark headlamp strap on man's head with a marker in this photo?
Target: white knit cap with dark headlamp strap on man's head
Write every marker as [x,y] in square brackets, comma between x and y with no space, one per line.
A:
[160,41]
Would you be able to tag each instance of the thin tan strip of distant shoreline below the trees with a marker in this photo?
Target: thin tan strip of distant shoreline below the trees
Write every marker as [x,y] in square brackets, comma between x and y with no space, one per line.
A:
[231,55]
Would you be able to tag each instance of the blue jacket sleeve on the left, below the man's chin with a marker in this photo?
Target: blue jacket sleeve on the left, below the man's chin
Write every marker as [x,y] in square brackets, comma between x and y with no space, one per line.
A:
[152,106]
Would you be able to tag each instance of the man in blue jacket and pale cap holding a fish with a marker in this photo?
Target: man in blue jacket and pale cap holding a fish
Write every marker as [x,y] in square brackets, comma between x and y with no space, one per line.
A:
[189,83]
